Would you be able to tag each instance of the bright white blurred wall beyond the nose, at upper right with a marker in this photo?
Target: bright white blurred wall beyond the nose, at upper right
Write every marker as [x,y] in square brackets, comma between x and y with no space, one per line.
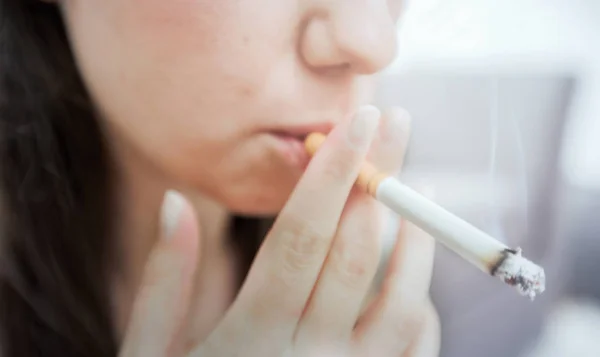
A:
[528,36]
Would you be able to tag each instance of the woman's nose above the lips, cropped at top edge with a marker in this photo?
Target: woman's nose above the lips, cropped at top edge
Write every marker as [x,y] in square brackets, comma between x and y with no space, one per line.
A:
[355,34]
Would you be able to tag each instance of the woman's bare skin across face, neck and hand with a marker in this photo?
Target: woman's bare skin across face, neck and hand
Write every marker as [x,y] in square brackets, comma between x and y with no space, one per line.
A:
[191,93]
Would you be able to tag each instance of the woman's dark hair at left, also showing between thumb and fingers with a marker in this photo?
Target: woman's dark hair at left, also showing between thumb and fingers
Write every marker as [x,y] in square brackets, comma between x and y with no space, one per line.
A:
[55,184]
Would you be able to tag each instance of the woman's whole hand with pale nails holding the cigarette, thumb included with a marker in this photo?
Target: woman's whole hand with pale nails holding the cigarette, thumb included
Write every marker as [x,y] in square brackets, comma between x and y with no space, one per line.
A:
[304,292]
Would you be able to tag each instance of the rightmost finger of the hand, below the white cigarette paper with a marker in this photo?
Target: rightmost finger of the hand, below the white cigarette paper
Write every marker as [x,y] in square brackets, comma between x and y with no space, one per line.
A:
[389,323]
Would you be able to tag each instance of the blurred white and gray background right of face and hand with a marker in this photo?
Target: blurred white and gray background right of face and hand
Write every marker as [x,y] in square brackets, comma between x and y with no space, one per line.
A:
[505,100]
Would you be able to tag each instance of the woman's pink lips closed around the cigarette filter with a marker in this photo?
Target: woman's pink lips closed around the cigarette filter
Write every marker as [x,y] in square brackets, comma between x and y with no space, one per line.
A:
[289,142]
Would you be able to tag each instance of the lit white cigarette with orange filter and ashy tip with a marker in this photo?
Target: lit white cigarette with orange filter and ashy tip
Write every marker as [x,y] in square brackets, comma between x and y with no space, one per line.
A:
[475,246]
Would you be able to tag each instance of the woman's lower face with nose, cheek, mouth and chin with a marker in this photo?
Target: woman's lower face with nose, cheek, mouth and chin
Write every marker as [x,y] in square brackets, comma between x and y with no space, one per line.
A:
[217,94]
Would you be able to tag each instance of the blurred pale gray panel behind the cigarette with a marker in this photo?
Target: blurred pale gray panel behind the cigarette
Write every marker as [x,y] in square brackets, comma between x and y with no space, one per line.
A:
[517,199]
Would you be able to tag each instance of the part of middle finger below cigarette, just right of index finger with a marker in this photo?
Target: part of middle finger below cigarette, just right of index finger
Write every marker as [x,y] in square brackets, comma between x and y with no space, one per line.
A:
[346,276]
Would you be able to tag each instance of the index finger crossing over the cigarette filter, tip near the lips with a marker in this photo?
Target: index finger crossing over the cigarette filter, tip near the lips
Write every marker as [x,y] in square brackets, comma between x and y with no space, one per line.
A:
[288,264]
